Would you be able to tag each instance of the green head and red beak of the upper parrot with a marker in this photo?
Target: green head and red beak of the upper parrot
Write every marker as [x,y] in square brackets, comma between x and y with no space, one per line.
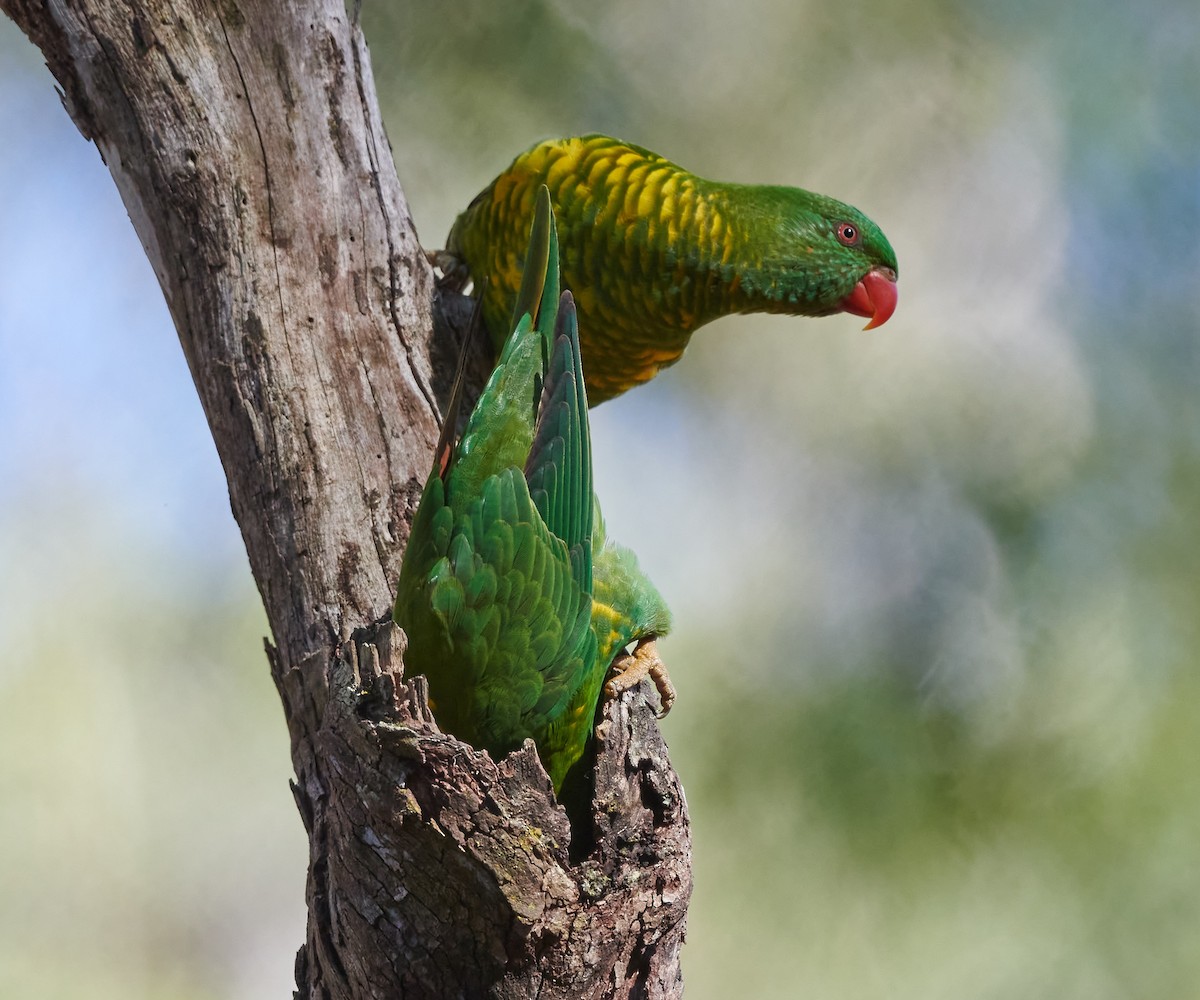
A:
[814,256]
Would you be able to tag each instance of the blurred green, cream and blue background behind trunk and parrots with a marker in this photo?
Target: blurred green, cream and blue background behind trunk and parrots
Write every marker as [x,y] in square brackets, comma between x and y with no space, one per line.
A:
[937,586]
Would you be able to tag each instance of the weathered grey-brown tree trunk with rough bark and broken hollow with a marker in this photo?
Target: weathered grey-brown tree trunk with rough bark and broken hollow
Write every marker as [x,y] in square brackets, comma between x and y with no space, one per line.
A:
[247,142]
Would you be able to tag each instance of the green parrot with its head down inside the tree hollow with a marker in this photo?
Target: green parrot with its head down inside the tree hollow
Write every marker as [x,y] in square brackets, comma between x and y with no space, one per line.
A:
[514,602]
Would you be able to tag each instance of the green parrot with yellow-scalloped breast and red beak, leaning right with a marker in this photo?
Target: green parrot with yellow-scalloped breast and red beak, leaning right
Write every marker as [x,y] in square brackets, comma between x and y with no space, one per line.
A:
[652,253]
